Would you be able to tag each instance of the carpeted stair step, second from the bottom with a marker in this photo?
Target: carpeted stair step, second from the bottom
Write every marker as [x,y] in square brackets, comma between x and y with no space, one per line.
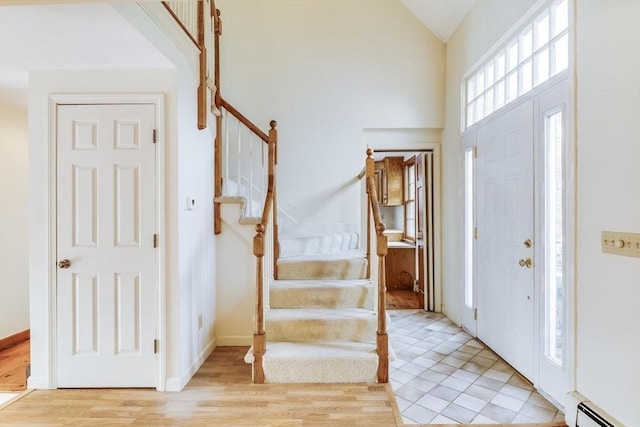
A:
[321,324]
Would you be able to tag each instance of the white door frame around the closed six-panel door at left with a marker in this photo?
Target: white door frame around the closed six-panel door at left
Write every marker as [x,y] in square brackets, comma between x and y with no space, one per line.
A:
[94,99]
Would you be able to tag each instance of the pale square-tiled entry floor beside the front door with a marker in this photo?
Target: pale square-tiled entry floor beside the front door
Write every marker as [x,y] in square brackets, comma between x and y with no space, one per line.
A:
[442,375]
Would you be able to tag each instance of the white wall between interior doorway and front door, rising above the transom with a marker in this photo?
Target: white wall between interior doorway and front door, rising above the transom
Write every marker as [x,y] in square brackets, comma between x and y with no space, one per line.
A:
[485,24]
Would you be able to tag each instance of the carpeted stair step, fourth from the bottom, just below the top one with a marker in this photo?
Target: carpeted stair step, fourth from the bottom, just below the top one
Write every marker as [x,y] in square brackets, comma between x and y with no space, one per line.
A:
[334,265]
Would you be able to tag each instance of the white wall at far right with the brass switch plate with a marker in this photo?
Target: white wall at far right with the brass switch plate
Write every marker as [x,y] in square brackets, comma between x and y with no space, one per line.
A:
[608,286]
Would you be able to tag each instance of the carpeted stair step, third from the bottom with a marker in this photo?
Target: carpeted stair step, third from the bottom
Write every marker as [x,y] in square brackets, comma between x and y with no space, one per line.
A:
[321,293]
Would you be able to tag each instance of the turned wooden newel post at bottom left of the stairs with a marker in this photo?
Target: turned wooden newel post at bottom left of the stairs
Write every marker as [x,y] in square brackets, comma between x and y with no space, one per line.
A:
[259,337]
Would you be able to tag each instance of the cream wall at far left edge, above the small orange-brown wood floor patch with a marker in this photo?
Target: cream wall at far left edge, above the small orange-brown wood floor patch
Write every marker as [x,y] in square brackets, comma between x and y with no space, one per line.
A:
[14,271]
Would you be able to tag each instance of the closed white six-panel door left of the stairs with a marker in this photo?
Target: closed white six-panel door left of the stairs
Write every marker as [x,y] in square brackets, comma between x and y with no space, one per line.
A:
[107,295]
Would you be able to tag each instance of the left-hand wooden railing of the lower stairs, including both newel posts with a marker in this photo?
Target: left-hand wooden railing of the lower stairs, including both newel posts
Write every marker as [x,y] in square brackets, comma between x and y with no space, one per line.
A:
[265,271]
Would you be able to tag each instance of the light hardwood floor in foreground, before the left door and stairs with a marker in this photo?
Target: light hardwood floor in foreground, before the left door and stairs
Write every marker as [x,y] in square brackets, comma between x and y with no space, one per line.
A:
[220,394]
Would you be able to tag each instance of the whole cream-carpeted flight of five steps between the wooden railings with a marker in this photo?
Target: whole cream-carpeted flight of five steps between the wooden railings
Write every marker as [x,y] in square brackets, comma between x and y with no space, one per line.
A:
[321,325]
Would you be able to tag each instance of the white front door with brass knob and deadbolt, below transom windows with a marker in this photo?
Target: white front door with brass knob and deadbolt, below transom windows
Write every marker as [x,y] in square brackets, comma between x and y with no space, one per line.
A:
[504,255]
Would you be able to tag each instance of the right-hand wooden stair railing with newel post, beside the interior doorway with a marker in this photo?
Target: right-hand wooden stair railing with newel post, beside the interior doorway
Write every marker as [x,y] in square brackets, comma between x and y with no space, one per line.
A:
[375,233]
